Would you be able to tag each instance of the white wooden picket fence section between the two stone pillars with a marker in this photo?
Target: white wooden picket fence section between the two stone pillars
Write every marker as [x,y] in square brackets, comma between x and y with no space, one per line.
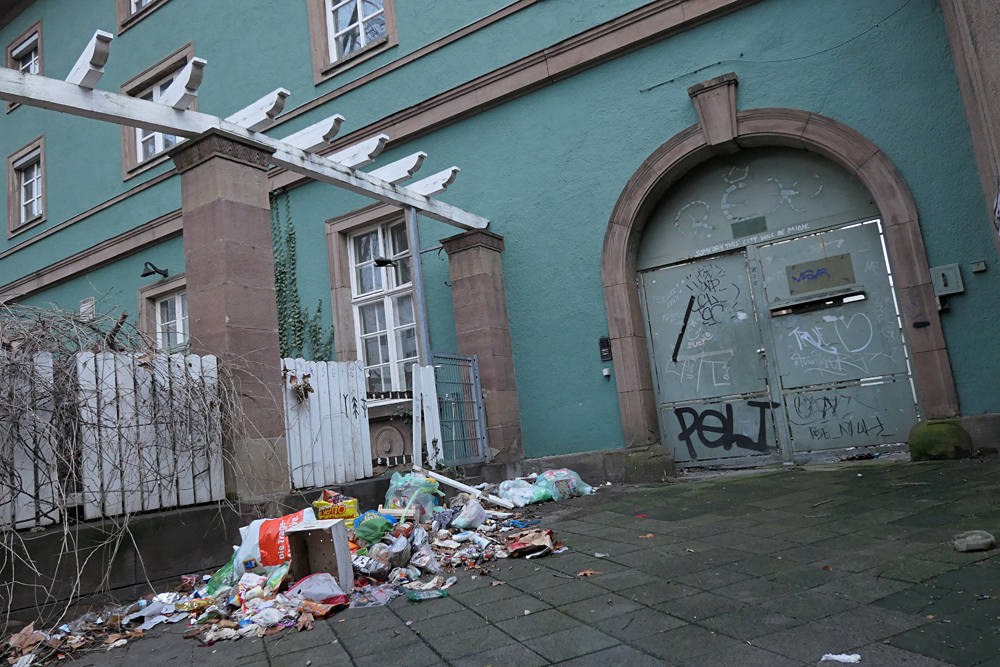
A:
[327,428]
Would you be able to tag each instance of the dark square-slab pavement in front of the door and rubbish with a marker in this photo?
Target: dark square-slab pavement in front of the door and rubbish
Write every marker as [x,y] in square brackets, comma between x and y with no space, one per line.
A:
[775,568]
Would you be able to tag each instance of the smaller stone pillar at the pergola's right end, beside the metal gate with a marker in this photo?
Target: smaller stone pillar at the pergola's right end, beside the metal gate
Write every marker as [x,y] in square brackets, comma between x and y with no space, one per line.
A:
[483,329]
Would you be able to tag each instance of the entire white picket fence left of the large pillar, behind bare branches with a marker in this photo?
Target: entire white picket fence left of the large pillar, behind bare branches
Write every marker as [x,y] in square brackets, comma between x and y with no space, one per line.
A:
[135,433]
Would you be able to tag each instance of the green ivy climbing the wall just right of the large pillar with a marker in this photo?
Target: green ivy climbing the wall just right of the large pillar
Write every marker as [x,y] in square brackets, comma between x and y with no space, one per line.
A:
[300,334]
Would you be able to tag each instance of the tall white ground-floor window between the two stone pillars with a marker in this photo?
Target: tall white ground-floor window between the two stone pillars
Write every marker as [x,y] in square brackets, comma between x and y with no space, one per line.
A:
[384,313]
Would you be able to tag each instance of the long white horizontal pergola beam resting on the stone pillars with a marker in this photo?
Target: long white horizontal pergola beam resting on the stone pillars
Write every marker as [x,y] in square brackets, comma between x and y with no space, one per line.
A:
[55,95]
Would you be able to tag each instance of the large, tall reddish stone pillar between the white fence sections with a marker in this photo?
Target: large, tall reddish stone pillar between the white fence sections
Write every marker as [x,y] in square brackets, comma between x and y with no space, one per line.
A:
[232,310]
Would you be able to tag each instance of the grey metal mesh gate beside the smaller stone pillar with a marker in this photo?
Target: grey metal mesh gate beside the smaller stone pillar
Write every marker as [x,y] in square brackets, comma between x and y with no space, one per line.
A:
[460,401]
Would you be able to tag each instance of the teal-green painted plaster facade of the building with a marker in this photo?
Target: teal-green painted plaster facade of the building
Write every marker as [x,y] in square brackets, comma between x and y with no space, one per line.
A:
[546,168]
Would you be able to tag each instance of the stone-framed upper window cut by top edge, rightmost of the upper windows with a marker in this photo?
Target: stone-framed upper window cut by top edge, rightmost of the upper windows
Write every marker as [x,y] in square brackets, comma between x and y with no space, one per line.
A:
[346,32]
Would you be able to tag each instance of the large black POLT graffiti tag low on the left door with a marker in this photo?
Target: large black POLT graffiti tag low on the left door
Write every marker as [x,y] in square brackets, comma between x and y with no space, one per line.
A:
[725,426]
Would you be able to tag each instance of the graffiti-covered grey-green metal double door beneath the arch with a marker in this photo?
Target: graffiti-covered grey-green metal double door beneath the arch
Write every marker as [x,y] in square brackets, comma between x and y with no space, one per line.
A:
[780,348]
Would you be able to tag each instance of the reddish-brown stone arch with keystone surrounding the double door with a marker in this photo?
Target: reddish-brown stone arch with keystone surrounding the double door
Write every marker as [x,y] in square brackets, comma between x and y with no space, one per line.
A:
[729,131]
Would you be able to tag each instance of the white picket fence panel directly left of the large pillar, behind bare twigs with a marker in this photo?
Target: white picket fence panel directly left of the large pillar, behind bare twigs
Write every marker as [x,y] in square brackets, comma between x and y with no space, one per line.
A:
[152,432]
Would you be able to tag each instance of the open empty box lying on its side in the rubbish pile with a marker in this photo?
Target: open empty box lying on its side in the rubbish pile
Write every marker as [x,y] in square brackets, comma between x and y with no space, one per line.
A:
[321,546]
